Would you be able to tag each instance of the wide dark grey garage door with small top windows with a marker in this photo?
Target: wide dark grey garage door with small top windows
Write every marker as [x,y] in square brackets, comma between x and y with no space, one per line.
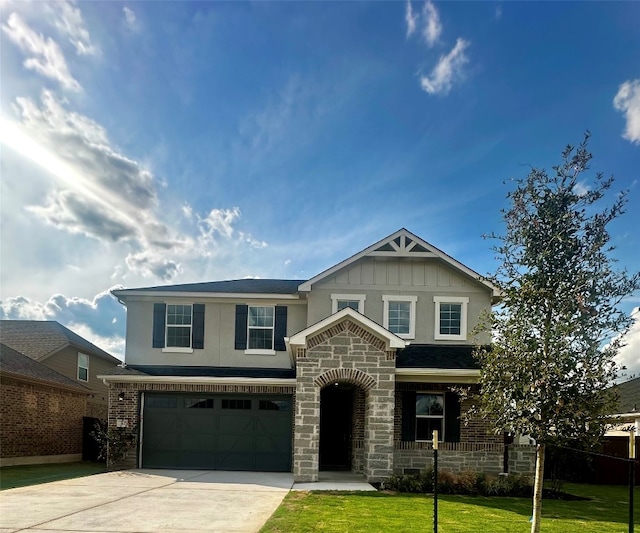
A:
[217,432]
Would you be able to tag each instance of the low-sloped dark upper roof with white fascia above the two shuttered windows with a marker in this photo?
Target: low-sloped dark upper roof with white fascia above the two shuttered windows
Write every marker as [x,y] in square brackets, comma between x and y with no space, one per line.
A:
[211,288]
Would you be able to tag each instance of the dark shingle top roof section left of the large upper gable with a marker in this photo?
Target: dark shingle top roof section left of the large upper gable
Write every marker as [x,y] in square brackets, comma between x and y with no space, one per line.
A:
[240,286]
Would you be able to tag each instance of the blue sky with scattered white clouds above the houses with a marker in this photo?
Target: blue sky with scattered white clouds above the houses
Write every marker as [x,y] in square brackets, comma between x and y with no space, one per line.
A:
[148,143]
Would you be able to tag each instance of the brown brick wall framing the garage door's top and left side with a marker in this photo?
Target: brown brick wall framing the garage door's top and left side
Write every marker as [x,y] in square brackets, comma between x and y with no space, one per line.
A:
[127,412]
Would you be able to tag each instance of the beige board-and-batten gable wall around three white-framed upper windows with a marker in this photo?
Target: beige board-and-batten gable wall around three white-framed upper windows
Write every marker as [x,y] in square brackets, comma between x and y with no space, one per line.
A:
[424,278]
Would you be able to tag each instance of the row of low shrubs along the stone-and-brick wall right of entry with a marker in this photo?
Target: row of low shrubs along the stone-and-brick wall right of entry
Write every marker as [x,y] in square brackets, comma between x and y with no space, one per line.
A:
[466,482]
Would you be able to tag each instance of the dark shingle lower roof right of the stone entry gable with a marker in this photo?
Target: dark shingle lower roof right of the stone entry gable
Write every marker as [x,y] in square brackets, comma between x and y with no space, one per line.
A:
[431,356]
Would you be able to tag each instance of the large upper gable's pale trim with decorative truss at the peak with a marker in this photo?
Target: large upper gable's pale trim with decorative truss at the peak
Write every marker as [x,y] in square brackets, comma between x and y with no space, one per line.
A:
[402,243]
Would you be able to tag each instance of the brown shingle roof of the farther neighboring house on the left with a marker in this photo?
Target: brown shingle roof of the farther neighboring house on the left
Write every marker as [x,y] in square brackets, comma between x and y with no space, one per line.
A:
[38,339]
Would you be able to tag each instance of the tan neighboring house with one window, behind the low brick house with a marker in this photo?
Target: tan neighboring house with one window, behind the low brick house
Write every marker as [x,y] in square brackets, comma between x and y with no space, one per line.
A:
[66,352]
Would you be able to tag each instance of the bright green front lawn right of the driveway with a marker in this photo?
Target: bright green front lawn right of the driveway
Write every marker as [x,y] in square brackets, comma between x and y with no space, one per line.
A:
[300,512]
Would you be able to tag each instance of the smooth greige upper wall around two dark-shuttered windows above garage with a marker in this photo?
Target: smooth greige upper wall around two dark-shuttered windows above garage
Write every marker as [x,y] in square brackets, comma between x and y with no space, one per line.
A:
[219,335]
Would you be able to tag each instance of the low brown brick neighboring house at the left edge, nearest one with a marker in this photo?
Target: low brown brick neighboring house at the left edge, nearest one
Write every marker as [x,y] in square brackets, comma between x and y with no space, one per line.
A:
[41,412]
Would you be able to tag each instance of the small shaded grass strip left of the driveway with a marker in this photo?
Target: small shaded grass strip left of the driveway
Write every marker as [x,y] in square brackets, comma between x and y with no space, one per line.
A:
[23,476]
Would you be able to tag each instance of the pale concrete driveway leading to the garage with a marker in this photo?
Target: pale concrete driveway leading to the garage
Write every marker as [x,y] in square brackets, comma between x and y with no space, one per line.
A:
[140,501]
